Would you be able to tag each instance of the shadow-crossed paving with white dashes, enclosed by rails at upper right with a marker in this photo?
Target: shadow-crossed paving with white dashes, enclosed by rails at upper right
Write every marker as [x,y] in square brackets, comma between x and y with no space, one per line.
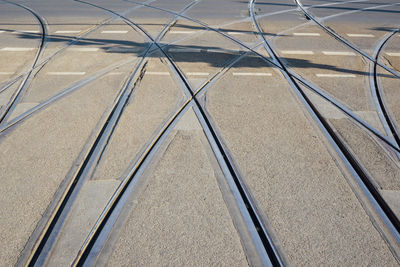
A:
[343,77]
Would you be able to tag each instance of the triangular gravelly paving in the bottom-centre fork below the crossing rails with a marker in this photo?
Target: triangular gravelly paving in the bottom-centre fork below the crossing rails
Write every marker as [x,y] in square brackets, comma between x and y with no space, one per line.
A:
[180,217]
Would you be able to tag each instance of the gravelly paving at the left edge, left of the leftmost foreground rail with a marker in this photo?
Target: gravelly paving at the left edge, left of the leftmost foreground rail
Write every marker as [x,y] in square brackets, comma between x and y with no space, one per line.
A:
[38,160]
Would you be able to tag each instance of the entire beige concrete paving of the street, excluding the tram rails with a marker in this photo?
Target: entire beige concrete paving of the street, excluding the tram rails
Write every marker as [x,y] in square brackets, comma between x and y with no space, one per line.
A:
[184,213]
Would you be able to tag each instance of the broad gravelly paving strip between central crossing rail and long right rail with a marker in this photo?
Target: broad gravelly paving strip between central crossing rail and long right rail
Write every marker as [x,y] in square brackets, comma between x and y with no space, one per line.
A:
[307,199]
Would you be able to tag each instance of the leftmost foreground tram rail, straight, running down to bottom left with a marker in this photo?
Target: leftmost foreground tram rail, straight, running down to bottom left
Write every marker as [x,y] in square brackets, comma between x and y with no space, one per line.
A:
[48,235]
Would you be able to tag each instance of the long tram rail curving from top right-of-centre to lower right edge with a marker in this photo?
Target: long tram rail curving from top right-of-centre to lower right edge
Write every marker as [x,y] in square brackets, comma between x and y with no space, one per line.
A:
[360,175]
